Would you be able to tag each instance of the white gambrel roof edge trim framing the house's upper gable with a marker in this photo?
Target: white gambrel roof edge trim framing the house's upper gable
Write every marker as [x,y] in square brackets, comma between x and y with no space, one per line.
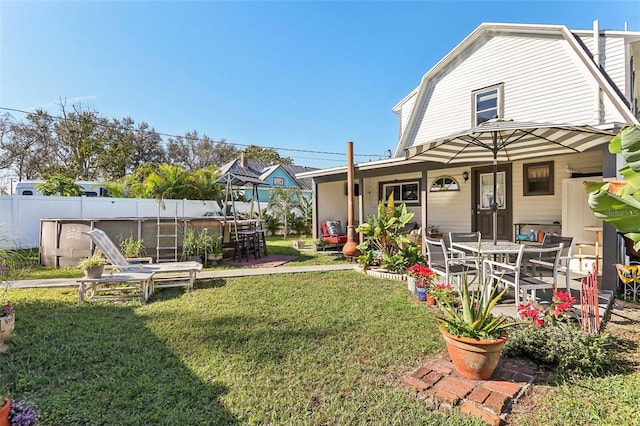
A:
[579,53]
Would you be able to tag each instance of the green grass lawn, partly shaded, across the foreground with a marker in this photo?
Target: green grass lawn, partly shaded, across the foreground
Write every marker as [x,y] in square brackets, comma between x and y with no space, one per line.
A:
[300,349]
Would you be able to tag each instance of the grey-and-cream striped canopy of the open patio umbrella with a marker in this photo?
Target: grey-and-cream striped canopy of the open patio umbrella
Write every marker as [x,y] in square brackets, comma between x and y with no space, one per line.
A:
[508,141]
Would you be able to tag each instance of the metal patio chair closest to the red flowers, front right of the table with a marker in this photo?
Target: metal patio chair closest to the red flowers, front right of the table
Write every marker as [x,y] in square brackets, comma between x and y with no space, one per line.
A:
[516,274]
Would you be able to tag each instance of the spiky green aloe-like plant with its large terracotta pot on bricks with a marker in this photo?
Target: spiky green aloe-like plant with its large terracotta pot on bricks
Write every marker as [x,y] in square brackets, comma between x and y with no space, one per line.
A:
[473,335]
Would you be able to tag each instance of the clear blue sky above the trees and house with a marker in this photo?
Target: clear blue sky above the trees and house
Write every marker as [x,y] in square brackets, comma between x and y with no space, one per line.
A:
[300,75]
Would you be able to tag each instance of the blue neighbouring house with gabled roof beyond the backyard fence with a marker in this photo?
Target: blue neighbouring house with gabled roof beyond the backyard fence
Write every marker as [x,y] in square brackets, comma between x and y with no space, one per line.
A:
[272,175]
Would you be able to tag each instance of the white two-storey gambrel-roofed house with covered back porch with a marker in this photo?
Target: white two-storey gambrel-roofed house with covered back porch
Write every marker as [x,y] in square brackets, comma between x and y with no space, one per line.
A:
[527,73]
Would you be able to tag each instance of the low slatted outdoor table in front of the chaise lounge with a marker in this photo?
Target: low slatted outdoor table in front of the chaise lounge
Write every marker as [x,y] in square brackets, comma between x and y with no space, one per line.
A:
[111,286]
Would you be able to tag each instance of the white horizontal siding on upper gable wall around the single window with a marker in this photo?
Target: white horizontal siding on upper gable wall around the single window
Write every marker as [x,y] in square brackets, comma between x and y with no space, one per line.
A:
[543,82]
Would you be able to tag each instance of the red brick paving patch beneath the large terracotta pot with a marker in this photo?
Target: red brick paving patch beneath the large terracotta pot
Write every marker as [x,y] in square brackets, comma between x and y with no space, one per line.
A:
[438,384]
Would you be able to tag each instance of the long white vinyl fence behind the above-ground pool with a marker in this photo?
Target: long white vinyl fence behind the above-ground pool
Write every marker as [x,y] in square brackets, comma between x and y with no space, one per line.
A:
[20,215]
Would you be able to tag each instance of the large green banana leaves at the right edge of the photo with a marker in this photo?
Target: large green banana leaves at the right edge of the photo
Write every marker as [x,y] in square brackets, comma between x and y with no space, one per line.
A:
[618,202]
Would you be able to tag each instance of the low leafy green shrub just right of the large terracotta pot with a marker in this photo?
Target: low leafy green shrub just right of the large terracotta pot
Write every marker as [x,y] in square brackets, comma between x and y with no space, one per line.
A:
[563,347]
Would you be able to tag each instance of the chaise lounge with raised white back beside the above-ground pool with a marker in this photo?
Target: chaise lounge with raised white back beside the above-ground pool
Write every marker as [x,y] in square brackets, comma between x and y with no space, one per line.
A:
[173,274]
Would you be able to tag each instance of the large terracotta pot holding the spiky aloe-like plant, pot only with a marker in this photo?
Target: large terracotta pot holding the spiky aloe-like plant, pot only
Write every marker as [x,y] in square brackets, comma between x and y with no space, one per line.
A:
[474,359]
